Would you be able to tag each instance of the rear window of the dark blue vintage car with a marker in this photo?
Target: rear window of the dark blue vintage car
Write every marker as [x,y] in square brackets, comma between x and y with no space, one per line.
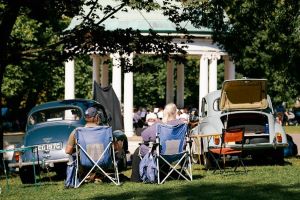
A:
[55,114]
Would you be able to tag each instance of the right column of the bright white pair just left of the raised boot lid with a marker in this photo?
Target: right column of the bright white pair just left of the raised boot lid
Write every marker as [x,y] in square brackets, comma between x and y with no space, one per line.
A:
[213,74]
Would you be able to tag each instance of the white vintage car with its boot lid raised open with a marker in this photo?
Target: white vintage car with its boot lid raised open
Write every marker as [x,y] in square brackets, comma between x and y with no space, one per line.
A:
[242,103]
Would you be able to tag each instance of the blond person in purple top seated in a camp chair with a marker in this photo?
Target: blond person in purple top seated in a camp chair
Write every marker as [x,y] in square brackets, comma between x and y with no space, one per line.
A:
[149,135]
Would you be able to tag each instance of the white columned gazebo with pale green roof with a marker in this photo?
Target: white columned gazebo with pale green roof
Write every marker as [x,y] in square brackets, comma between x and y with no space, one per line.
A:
[202,47]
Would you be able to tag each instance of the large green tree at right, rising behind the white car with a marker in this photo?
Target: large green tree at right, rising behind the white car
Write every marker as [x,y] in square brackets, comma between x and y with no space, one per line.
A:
[261,36]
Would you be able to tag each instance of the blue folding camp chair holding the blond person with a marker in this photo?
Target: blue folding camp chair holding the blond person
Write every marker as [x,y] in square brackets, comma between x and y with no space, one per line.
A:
[173,152]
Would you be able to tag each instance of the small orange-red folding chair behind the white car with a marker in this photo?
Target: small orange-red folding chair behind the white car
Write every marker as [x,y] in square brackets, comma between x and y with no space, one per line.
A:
[232,145]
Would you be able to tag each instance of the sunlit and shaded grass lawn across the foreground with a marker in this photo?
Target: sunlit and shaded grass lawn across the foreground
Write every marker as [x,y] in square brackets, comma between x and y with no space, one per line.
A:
[261,182]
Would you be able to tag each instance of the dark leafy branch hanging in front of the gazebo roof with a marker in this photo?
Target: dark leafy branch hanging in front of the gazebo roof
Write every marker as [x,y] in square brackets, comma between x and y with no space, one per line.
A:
[90,36]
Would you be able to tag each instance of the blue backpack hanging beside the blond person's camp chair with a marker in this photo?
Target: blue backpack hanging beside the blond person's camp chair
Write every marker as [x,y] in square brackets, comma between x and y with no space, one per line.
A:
[148,168]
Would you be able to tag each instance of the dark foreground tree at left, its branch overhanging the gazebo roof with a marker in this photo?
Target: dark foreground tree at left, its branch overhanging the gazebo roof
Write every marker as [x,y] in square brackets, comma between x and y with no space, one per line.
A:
[82,40]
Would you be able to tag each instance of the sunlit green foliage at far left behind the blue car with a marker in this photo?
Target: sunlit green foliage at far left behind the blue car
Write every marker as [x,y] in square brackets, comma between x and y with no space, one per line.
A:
[25,82]
